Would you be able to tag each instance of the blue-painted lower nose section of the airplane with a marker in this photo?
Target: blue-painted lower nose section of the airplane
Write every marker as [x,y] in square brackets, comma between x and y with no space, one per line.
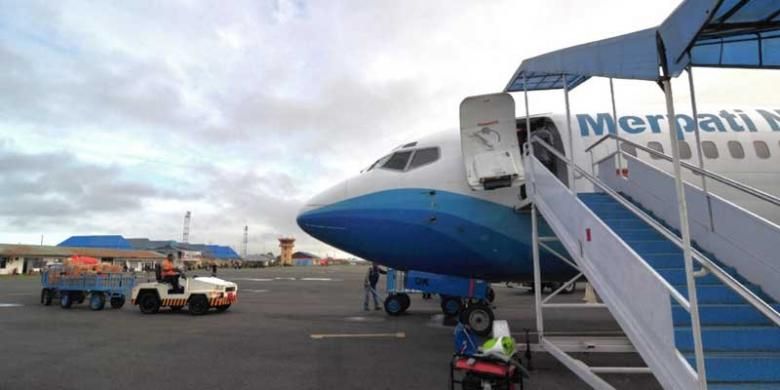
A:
[434,231]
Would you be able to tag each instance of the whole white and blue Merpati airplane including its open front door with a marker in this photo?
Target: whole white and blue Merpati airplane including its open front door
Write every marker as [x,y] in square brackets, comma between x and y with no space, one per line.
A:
[421,206]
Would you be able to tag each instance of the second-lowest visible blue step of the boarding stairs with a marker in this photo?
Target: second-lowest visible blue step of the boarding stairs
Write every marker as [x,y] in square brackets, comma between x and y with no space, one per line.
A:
[731,339]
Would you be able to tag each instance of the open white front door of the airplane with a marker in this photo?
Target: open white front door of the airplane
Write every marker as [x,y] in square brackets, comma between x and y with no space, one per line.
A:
[488,138]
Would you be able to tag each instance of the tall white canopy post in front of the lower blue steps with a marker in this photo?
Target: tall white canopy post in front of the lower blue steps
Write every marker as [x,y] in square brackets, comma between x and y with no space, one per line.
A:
[686,236]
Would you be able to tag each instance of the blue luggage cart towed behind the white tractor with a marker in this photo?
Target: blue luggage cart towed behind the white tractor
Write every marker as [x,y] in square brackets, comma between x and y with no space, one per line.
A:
[114,287]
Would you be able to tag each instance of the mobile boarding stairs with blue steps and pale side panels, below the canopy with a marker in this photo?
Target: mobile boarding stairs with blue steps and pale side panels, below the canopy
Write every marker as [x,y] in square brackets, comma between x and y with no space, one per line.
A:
[703,315]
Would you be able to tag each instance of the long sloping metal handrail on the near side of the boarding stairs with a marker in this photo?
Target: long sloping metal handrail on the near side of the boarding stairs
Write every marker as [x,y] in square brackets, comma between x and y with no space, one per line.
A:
[761,305]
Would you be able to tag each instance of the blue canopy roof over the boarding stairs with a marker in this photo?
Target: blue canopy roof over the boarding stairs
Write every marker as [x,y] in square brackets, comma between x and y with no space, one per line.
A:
[708,33]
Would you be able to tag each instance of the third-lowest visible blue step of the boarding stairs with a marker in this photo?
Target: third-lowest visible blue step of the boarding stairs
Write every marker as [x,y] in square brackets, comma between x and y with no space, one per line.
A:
[722,315]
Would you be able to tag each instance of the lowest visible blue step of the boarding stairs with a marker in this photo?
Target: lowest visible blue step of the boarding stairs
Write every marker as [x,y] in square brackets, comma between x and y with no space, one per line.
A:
[745,369]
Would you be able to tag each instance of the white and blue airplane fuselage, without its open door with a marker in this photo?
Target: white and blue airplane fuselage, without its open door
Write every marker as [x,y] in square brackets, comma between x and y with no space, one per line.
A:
[428,217]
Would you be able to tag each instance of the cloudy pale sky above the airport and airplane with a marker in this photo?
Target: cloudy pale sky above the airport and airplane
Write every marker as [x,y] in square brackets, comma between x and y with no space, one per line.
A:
[118,117]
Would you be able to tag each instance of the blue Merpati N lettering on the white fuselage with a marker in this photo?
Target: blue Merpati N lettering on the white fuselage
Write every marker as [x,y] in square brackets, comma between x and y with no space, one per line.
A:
[723,121]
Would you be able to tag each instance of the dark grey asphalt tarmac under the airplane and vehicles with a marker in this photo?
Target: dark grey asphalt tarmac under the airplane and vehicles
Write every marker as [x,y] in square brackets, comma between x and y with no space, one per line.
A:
[293,328]
